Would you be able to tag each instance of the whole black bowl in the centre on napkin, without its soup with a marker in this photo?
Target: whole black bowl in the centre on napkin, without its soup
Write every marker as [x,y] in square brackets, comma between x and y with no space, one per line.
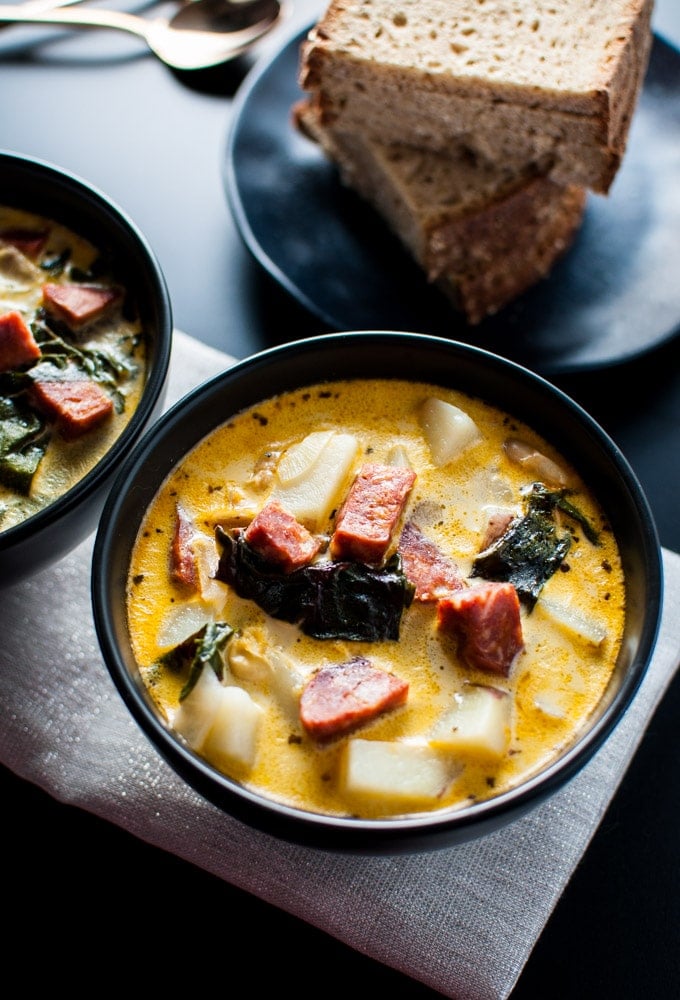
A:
[398,355]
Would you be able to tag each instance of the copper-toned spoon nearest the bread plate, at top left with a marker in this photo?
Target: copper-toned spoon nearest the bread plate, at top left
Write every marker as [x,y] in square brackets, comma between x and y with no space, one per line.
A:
[200,35]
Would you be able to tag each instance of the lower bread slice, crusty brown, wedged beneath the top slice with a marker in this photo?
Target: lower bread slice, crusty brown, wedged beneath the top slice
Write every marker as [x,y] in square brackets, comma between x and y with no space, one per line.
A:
[482,232]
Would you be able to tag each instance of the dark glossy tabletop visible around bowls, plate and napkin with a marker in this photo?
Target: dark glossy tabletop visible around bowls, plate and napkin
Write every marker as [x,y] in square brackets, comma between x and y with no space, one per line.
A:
[86,904]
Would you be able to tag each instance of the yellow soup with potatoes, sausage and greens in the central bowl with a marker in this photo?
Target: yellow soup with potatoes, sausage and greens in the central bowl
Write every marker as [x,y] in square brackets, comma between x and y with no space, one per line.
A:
[375,597]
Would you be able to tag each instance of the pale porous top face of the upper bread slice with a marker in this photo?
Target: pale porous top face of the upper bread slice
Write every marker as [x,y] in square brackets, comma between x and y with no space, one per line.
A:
[564,46]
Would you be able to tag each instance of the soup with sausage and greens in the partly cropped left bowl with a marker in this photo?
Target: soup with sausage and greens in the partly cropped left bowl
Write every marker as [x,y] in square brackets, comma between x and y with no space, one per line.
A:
[72,361]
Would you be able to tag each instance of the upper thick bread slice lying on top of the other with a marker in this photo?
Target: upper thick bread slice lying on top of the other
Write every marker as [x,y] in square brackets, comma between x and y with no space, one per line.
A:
[525,82]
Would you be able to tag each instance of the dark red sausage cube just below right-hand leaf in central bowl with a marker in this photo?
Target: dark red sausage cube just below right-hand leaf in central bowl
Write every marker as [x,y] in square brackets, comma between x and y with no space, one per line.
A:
[485,621]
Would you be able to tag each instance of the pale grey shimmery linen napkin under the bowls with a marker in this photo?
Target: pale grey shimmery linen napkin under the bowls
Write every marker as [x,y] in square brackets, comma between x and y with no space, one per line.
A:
[463,920]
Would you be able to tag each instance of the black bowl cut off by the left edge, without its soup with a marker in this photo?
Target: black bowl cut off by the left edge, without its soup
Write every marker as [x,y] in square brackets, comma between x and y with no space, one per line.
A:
[44,189]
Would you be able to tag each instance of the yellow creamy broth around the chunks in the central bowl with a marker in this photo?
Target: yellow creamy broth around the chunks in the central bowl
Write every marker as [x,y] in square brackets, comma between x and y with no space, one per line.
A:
[571,635]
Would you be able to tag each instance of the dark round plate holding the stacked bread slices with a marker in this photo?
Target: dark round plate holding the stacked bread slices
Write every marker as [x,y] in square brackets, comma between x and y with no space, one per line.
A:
[615,296]
